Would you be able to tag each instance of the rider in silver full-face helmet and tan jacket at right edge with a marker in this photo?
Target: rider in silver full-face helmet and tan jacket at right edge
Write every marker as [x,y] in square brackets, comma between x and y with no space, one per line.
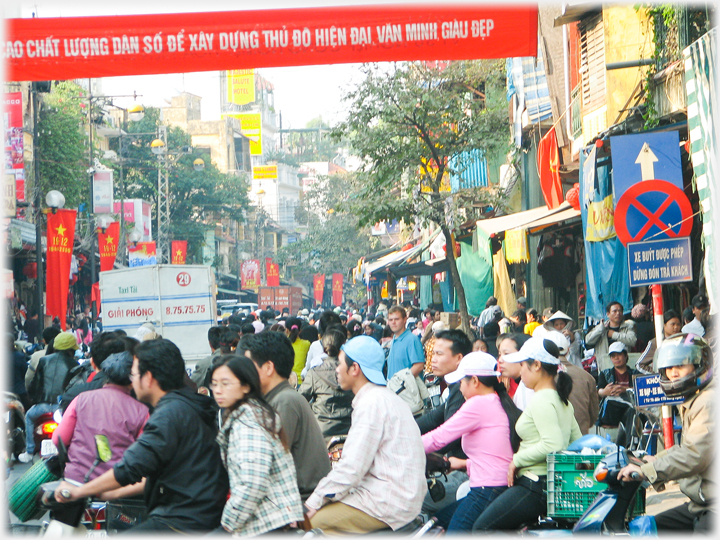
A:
[685,364]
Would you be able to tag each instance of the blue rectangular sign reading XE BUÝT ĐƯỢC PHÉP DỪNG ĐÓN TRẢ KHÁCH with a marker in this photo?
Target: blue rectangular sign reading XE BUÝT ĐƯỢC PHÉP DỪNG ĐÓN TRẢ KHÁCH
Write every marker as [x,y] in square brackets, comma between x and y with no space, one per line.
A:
[659,261]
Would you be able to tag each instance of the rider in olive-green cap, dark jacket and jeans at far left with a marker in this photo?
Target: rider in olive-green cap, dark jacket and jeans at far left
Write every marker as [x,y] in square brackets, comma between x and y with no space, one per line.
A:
[48,385]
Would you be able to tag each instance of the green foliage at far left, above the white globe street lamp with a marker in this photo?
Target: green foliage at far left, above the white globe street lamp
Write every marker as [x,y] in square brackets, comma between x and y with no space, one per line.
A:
[62,160]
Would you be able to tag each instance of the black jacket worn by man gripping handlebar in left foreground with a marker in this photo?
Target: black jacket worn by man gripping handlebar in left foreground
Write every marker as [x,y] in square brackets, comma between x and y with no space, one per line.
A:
[187,484]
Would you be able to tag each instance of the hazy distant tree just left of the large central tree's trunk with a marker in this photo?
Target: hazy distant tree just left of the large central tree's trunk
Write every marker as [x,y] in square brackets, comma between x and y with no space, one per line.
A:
[334,243]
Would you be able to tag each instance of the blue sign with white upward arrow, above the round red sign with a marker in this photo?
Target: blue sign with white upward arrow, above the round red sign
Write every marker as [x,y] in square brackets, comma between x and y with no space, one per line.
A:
[645,156]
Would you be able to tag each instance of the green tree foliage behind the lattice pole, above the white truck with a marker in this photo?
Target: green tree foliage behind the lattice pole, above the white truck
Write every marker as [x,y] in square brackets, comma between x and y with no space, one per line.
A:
[197,198]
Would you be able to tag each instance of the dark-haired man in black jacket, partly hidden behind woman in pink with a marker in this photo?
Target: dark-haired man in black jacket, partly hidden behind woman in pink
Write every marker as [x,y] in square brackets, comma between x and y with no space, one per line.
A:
[450,347]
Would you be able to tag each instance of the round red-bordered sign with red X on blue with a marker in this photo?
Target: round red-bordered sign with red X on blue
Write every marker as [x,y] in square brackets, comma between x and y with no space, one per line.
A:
[674,198]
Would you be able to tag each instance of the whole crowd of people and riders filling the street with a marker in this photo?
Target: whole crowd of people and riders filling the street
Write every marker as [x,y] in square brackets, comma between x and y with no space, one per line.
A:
[240,444]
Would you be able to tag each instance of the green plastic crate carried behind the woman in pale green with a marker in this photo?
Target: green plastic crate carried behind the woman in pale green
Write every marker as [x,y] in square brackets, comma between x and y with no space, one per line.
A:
[571,487]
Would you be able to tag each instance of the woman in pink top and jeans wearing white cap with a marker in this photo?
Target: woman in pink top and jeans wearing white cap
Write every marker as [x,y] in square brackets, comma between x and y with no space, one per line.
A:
[486,423]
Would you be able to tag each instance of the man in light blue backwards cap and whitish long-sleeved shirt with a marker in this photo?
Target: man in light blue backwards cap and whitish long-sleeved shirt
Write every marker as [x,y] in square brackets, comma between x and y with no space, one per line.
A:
[379,481]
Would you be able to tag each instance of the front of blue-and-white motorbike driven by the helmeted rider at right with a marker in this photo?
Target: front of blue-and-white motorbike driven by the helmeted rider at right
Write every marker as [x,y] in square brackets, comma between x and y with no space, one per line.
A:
[608,512]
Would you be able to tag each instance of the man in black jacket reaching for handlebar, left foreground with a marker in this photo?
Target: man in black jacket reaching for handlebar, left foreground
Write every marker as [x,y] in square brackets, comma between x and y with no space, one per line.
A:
[176,460]
